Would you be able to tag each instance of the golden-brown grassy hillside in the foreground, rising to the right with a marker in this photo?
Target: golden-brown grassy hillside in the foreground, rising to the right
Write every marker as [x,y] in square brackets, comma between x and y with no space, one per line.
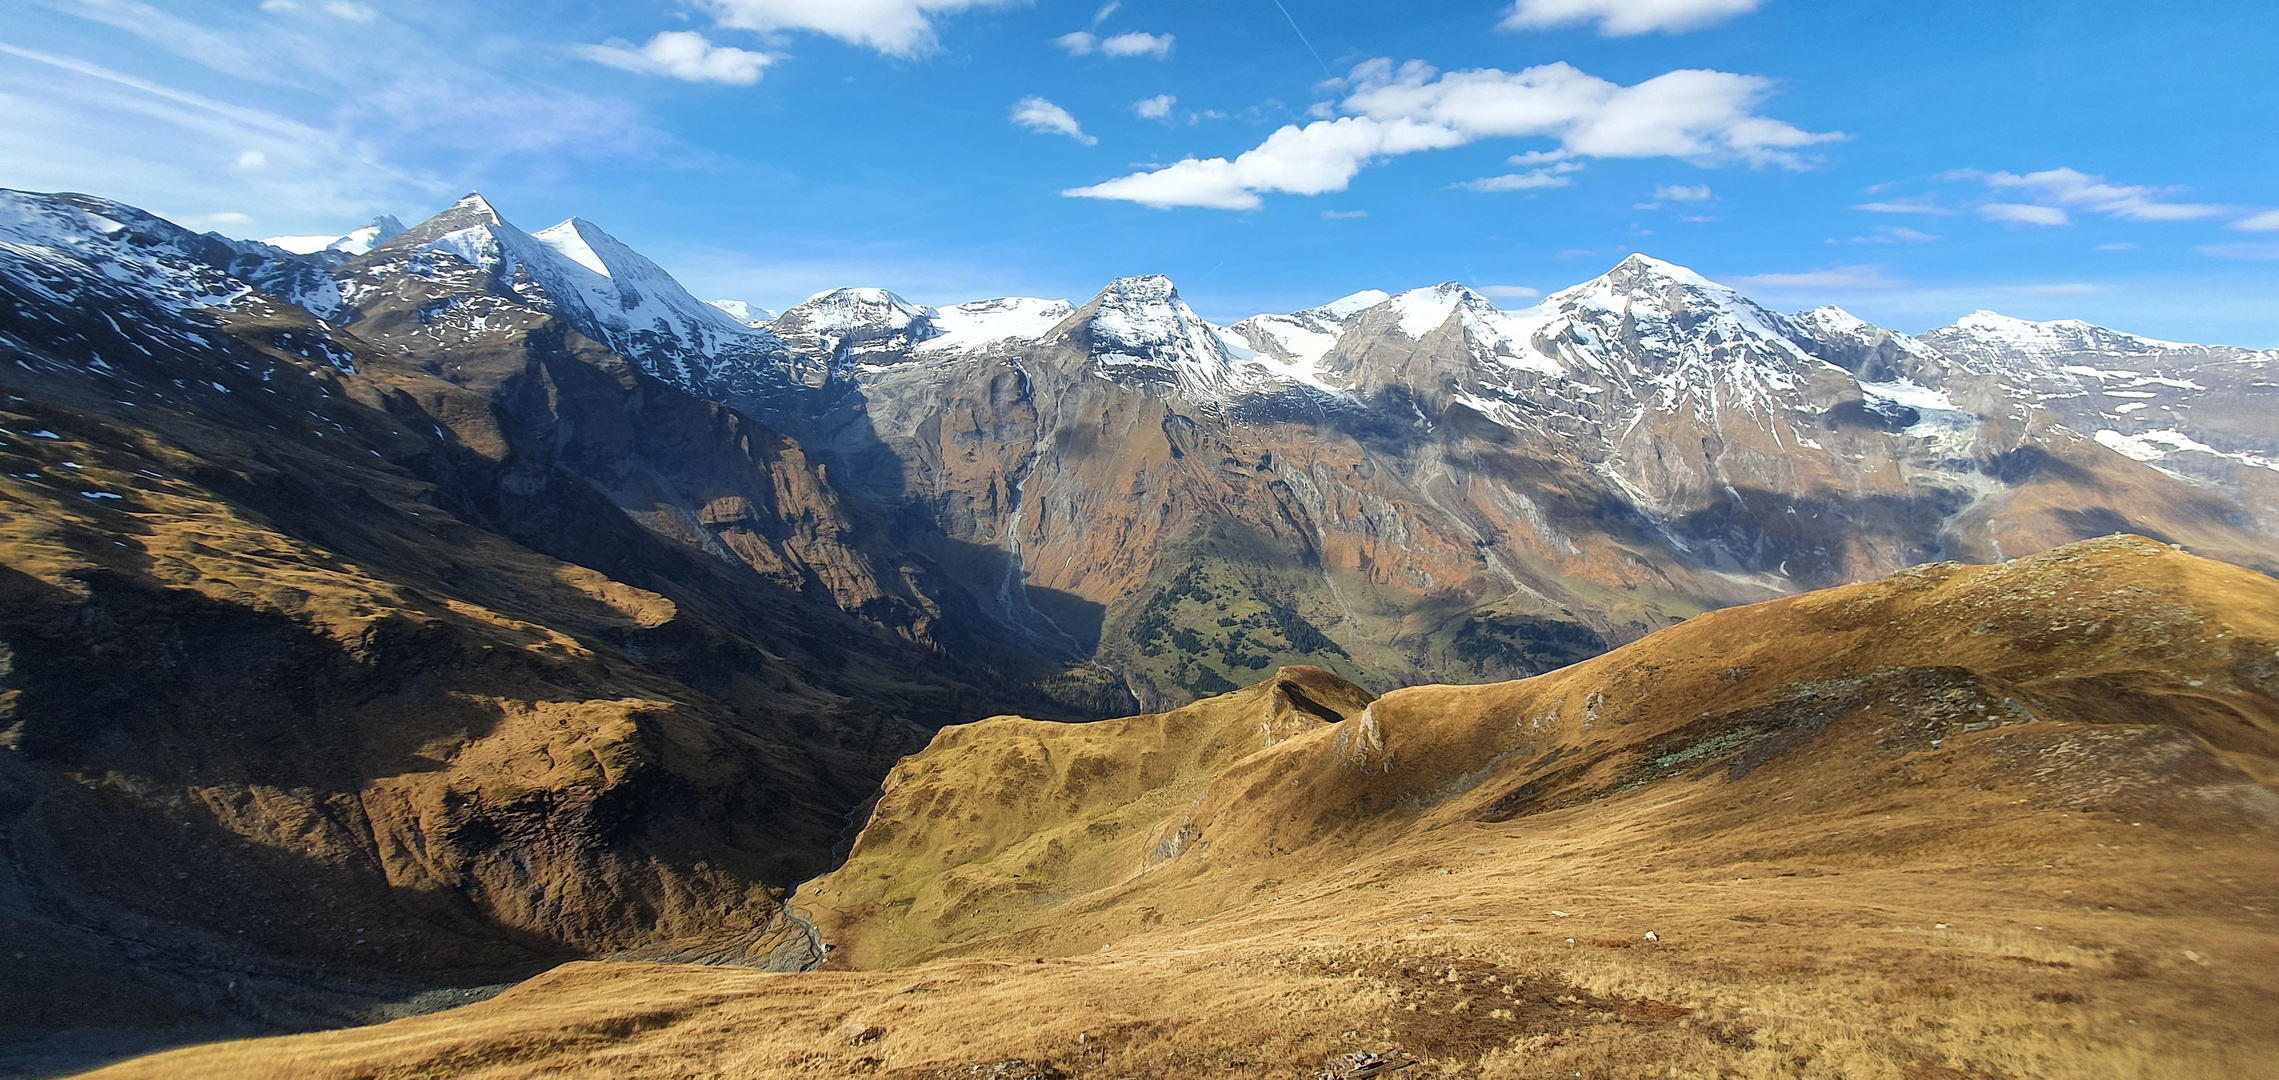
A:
[1961,824]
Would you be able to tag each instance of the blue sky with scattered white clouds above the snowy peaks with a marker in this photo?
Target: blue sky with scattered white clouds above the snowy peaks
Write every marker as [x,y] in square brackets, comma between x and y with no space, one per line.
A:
[2052,161]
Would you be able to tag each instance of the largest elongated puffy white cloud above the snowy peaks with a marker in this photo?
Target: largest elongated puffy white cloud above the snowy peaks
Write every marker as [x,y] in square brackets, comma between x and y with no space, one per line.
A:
[1704,117]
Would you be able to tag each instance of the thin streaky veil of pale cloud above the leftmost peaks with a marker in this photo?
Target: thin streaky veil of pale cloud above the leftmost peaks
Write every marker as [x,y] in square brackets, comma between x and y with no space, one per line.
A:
[300,122]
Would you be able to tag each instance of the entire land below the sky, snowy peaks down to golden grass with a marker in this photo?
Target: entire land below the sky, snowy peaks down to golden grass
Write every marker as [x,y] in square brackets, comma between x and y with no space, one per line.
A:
[395,616]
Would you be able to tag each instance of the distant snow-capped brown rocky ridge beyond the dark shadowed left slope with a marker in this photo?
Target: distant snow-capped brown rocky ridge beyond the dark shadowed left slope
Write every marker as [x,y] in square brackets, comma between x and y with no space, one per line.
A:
[1649,432]
